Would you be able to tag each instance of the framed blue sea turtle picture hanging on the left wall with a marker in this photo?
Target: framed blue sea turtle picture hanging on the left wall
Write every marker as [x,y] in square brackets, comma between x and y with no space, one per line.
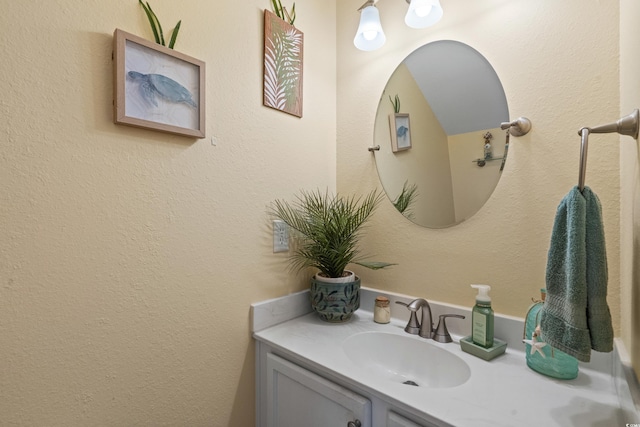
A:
[157,88]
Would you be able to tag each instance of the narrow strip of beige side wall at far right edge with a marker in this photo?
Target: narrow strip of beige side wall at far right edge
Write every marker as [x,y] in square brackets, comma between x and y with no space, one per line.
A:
[630,183]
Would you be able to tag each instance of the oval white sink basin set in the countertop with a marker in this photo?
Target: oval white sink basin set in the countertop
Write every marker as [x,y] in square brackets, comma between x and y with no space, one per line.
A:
[406,359]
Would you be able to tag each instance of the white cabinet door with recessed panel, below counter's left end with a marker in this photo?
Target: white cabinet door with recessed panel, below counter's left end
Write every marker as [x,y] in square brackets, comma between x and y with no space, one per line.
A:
[297,397]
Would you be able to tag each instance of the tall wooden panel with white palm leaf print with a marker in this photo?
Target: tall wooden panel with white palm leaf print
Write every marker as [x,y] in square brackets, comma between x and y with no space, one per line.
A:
[283,48]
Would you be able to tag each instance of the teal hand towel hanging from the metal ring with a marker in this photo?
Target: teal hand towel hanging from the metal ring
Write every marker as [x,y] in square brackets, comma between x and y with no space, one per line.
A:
[576,317]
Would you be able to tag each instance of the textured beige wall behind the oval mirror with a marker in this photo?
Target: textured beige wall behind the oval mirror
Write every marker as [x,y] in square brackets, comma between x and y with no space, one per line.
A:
[558,63]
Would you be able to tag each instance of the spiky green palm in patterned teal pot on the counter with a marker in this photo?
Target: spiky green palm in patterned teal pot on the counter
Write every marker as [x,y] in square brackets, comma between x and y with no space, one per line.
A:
[327,229]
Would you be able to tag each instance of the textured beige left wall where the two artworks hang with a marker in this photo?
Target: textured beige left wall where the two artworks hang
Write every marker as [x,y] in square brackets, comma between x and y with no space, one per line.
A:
[128,257]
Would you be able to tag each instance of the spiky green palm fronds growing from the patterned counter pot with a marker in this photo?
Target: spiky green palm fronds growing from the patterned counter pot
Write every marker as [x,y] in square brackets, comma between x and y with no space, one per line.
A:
[328,229]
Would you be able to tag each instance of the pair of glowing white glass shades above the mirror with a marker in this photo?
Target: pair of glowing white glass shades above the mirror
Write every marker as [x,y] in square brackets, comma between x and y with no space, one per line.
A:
[421,14]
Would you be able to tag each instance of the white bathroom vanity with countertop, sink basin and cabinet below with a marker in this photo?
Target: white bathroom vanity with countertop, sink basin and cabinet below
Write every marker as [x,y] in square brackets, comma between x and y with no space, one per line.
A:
[313,373]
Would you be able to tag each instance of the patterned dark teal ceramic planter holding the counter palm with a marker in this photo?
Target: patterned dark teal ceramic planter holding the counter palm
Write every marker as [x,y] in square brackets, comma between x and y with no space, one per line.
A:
[334,301]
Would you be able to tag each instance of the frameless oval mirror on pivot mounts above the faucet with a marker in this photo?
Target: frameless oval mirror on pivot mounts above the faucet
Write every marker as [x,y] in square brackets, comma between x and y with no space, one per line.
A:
[438,128]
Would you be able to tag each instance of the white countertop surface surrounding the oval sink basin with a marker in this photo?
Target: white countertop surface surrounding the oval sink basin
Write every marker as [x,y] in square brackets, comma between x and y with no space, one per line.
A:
[500,392]
